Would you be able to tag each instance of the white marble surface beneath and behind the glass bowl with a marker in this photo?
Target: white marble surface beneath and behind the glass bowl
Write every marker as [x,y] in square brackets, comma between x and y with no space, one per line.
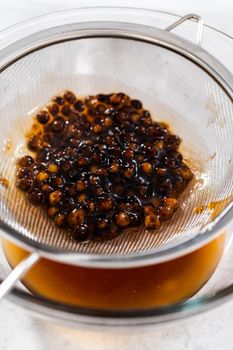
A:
[208,331]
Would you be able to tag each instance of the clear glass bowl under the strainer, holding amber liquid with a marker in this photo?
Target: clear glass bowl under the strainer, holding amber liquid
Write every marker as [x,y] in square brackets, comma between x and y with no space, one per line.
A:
[220,285]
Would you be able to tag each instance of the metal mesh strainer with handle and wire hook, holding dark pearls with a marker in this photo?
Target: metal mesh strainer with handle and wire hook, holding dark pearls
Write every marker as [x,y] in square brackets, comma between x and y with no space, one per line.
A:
[177,81]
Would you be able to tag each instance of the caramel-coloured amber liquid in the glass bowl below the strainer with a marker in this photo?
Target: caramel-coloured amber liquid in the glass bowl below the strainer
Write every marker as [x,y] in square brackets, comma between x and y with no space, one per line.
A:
[144,287]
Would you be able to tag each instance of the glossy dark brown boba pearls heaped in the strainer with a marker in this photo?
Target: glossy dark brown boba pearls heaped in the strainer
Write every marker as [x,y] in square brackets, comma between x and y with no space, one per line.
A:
[100,164]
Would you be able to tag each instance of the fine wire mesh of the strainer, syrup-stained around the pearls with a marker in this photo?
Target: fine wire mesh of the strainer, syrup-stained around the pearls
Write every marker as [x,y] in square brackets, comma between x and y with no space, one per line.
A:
[171,87]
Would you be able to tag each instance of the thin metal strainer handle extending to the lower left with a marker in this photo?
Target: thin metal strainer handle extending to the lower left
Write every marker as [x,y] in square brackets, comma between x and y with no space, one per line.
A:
[18,272]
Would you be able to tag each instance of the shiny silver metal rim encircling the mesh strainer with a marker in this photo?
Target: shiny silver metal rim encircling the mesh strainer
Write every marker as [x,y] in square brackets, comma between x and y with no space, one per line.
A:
[152,36]
